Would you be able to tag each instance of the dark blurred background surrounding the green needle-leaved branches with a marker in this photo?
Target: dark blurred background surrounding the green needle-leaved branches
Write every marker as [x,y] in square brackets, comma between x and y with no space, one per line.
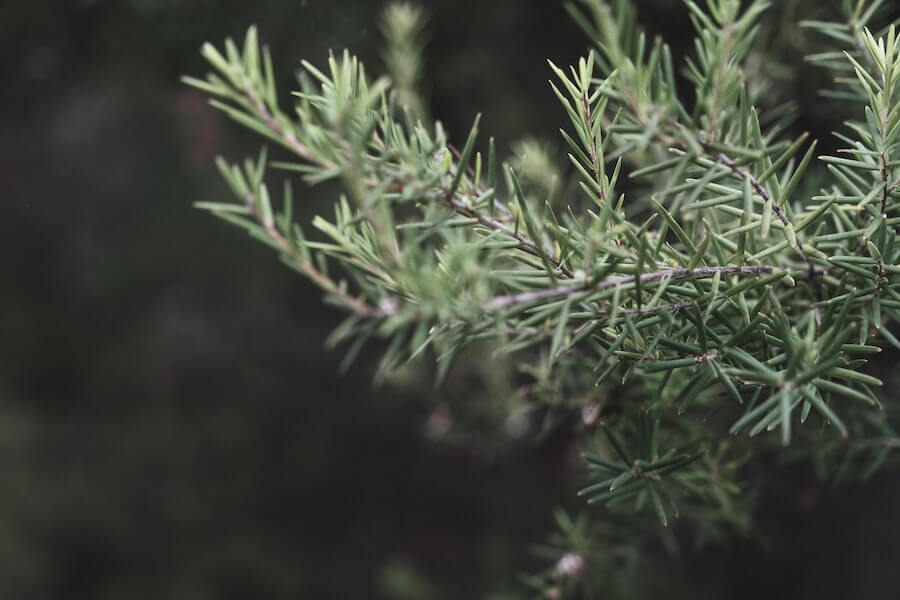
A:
[171,424]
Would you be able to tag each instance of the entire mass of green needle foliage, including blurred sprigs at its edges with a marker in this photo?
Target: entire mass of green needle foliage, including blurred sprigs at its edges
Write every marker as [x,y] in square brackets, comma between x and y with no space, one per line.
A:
[694,278]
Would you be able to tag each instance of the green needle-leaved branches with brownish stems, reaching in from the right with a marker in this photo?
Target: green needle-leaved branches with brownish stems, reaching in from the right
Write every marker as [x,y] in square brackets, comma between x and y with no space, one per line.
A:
[740,341]
